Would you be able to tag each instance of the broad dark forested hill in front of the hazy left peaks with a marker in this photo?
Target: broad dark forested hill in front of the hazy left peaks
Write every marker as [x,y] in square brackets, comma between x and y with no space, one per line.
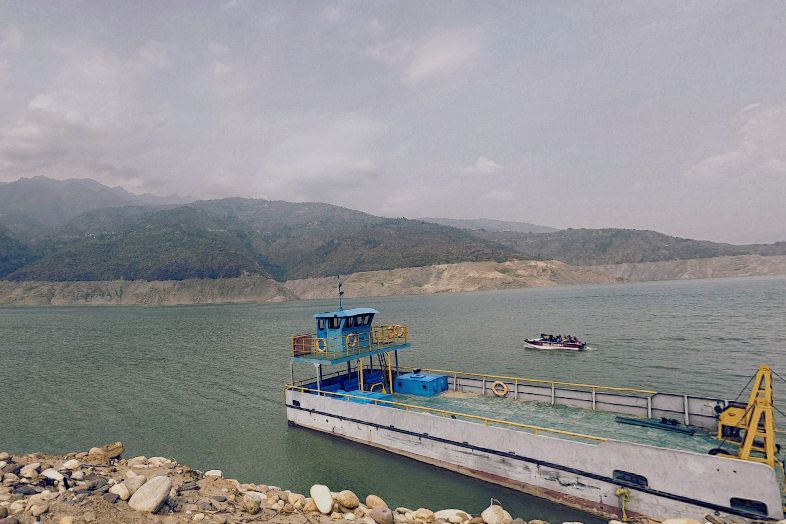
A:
[227,238]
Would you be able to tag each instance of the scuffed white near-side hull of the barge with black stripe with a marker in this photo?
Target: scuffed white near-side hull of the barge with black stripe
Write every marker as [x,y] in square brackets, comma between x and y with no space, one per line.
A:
[679,484]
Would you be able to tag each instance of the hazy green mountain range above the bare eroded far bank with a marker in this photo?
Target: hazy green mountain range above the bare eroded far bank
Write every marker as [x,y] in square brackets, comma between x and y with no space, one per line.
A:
[82,230]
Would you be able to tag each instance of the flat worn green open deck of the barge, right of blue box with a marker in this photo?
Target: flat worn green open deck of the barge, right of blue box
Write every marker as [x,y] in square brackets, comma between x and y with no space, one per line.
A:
[565,418]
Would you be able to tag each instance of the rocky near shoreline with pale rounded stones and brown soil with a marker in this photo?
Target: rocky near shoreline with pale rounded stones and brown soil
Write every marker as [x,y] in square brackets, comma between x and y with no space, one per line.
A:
[99,486]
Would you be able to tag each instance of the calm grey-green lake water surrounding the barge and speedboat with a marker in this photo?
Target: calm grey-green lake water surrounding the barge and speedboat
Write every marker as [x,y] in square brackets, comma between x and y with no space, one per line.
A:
[203,384]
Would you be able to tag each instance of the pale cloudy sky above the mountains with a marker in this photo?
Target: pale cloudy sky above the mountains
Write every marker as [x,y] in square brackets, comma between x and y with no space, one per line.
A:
[659,115]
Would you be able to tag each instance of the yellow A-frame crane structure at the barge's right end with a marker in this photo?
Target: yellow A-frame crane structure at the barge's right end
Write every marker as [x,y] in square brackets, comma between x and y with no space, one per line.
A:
[752,428]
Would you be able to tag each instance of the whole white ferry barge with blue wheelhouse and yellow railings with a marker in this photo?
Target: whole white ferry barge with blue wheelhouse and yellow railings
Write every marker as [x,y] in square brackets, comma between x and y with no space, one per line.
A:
[545,445]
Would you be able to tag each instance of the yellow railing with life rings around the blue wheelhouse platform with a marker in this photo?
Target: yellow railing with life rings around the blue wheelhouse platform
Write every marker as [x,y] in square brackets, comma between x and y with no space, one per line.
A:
[328,348]
